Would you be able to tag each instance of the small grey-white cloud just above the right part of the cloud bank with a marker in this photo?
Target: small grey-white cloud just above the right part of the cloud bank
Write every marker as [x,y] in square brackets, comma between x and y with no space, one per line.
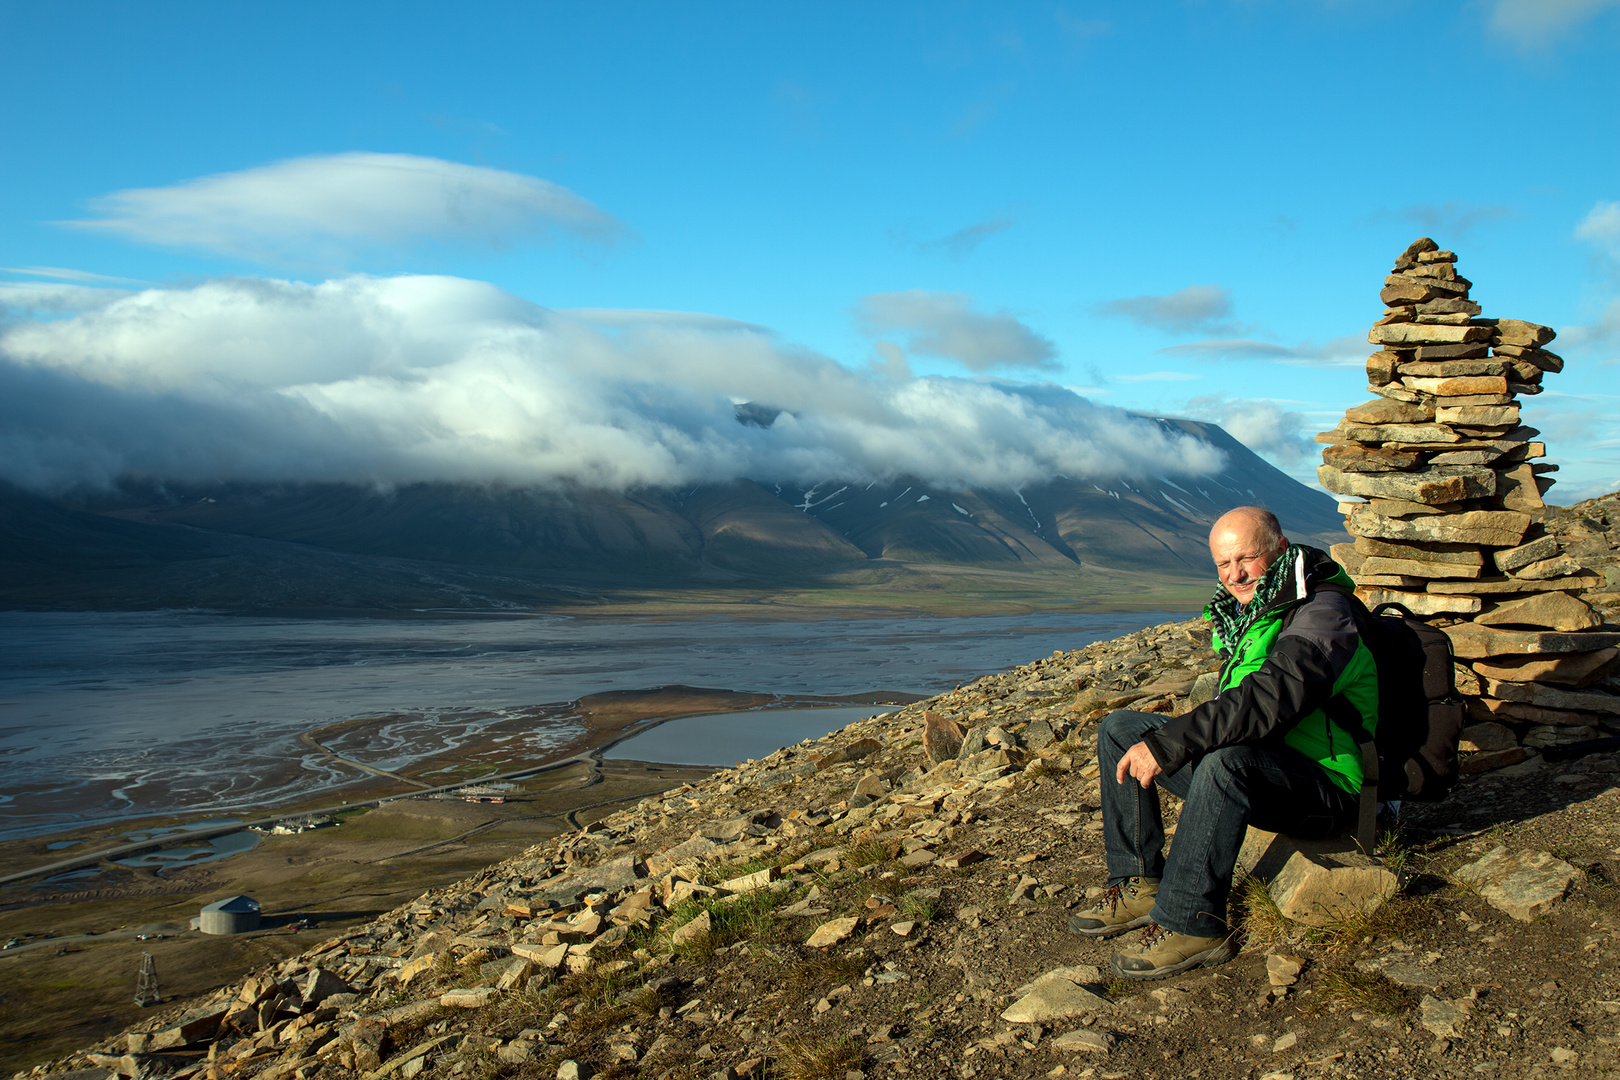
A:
[945,326]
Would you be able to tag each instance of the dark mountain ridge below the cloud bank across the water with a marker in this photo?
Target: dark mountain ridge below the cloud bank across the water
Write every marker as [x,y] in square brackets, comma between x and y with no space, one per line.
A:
[717,535]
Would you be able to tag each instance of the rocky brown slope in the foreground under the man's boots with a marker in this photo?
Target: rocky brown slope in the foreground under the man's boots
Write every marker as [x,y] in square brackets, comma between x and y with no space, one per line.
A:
[887,903]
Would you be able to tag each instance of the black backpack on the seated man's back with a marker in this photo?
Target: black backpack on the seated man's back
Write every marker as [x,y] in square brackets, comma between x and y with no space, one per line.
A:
[1413,754]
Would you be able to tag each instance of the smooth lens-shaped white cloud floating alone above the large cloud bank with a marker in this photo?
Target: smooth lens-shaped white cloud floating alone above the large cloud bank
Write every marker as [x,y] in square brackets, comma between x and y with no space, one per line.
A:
[326,210]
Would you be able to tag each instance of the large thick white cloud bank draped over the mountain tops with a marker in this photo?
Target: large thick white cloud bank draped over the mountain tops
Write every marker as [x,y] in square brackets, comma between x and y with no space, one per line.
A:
[407,380]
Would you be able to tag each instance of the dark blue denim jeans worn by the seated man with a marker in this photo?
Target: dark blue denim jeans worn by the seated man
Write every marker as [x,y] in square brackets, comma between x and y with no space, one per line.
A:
[1269,786]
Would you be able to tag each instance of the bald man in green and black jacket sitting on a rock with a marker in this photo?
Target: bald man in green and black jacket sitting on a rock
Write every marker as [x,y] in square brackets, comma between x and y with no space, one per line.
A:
[1263,752]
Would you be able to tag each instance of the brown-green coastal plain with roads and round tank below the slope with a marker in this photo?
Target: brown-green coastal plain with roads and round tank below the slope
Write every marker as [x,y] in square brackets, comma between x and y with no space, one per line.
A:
[70,979]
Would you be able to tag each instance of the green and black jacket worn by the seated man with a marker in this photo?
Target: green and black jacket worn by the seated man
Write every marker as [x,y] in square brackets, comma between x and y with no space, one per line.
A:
[1277,678]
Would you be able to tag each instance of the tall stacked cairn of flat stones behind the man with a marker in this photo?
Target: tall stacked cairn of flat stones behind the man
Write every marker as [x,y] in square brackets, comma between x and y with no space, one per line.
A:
[1443,495]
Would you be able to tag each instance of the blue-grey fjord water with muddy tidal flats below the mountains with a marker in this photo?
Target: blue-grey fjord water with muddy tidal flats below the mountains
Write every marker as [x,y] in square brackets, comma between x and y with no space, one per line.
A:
[119,715]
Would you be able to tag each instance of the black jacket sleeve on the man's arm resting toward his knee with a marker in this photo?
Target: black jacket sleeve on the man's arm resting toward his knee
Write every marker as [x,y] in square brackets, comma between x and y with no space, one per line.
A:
[1297,679]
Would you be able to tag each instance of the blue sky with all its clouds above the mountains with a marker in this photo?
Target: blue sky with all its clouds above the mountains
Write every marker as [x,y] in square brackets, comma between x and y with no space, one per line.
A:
[414,242]
